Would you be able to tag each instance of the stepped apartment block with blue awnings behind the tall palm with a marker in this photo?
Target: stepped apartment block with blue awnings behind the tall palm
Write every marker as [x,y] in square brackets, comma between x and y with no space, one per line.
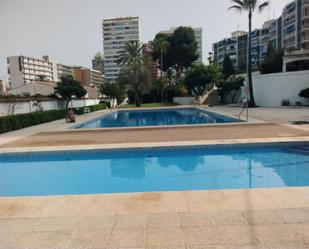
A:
[288,32]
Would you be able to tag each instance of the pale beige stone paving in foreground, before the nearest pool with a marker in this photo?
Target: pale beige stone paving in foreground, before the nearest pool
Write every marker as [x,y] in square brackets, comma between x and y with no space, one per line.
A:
[264,218]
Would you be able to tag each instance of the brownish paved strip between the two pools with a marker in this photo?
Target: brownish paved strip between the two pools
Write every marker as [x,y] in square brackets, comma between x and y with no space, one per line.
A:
[148,135]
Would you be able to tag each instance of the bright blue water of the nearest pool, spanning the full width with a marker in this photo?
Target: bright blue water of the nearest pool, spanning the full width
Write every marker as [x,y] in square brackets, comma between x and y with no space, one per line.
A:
[148,170]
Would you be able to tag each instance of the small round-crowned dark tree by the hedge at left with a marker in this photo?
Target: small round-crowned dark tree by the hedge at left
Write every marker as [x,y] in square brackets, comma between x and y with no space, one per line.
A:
[69,88]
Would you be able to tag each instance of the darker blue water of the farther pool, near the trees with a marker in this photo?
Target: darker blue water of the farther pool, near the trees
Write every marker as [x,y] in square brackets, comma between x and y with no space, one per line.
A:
[156,117]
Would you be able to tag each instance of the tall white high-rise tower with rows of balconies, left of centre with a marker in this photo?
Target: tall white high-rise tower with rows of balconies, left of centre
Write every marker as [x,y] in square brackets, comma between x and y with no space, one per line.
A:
[117,32]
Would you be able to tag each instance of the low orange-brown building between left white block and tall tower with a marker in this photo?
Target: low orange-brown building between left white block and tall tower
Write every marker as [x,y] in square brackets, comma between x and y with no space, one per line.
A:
[88,77]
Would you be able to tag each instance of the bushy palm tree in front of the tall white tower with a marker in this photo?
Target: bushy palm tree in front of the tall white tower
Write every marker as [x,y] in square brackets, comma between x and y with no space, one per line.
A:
[135,72]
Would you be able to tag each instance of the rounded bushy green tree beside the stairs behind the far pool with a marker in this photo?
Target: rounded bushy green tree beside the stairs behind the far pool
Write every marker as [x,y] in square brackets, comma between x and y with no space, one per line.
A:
[200,77]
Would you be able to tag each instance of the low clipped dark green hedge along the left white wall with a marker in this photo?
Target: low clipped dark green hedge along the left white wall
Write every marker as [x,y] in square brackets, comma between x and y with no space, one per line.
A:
[19,121]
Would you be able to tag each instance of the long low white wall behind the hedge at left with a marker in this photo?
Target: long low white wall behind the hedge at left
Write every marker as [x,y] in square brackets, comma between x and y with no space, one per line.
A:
[30,106]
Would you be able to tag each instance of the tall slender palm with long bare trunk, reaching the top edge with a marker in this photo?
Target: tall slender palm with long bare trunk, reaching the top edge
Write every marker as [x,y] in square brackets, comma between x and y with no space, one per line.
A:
[250,6]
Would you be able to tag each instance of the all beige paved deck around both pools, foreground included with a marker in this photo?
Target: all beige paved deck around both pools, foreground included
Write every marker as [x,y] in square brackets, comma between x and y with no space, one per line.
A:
[225,219]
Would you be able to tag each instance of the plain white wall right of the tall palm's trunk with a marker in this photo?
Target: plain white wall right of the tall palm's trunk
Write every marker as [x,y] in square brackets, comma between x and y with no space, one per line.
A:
[271,89]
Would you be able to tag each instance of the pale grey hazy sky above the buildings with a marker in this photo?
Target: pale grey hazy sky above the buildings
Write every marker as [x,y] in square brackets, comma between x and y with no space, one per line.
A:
[70,31]
